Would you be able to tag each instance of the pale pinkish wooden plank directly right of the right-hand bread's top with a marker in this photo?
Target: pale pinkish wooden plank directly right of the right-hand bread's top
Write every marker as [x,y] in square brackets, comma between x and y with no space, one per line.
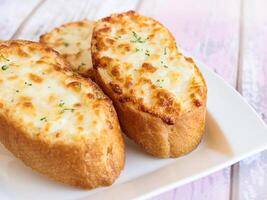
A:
[209,31]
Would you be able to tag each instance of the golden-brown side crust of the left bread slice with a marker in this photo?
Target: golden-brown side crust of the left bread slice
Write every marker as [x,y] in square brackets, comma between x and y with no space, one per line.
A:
[88,164]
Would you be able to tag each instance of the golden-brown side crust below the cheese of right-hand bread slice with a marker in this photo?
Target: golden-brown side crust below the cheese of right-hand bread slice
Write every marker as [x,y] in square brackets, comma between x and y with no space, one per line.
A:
[154,135]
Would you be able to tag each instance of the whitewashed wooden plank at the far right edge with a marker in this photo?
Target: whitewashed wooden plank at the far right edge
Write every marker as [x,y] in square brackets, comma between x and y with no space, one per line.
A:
[252,176]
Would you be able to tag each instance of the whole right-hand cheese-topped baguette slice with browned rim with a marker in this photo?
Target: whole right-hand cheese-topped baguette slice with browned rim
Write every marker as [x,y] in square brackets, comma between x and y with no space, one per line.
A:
[159,94]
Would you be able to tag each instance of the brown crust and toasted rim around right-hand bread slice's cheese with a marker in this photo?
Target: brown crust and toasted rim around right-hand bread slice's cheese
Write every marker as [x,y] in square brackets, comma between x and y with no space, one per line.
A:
[160,135]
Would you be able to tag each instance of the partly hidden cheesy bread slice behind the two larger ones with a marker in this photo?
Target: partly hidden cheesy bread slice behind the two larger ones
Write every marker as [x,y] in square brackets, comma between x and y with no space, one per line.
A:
[73,41]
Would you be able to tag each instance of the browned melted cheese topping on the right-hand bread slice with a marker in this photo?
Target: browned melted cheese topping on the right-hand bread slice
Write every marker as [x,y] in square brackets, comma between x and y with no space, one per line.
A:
[138,58]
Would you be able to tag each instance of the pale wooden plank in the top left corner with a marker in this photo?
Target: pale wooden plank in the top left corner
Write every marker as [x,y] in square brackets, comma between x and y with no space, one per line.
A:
[12,15]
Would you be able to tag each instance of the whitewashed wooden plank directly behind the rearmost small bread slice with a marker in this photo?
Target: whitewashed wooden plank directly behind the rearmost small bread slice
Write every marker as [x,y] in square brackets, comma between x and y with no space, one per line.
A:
[54,13]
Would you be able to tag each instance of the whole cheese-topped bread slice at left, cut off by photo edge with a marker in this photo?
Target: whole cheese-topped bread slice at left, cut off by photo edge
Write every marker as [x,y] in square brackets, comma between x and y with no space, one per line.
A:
[55,121]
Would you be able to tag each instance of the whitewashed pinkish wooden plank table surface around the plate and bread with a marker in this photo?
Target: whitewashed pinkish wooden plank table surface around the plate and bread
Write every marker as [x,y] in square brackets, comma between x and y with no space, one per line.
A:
[229,36]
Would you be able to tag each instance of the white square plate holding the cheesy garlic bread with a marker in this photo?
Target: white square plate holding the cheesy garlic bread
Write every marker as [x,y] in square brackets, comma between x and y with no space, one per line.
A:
[234,131]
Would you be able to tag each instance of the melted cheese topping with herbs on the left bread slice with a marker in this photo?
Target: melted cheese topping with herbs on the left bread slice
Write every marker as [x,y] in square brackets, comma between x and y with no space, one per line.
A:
[41,96]
